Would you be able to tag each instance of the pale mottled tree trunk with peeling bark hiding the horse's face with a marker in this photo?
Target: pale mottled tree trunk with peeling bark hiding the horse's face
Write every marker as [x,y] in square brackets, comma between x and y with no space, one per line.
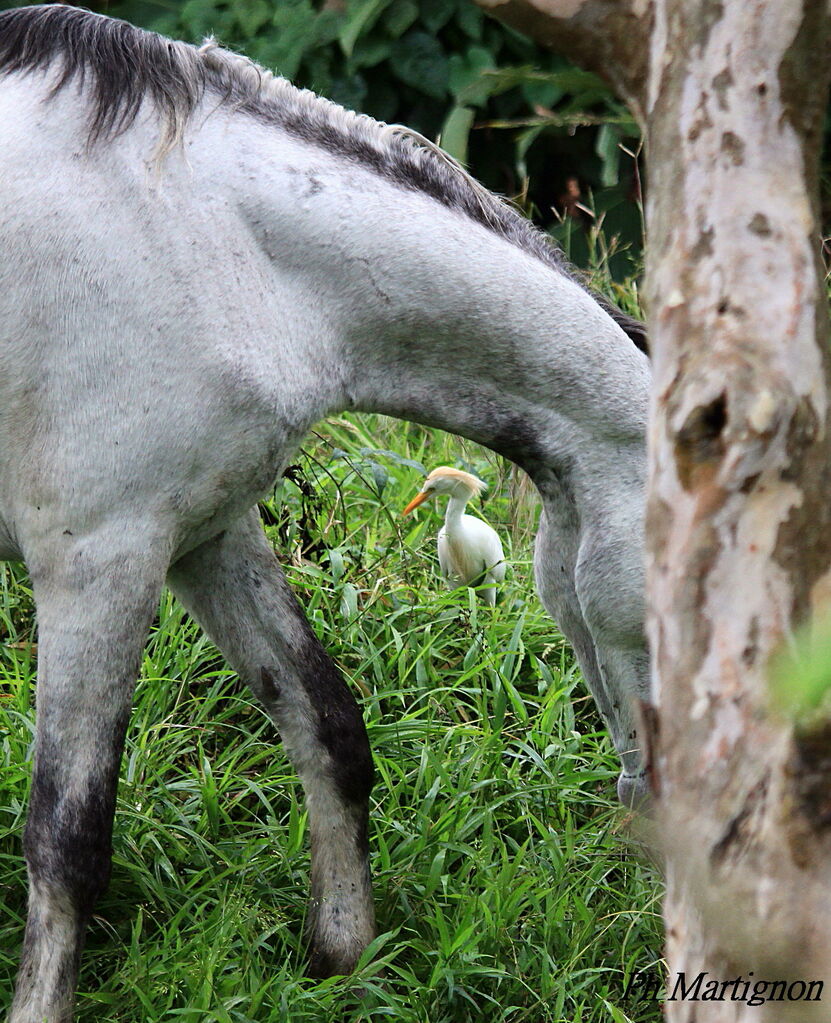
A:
[732,97]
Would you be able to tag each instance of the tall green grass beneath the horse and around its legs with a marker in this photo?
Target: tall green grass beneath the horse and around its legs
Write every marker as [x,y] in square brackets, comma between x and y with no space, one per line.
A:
[505,884]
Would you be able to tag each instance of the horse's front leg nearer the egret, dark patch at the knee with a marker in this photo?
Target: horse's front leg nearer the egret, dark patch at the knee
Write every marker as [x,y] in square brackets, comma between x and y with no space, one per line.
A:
[236,590]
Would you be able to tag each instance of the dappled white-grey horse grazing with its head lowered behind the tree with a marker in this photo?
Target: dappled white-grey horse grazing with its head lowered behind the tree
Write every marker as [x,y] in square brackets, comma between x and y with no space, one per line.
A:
[198,262]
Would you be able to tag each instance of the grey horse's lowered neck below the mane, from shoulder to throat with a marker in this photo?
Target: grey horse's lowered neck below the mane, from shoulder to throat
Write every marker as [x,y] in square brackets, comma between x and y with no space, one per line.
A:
[415,310]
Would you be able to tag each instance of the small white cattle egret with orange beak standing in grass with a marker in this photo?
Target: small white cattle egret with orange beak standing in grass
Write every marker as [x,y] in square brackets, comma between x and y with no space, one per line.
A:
[470,552]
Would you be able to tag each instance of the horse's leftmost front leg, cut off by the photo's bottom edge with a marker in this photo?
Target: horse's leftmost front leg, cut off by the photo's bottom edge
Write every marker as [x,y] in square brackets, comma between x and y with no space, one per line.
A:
[96,601]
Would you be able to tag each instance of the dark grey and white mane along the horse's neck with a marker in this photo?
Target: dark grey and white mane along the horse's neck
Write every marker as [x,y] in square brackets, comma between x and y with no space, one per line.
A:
[121,66]
